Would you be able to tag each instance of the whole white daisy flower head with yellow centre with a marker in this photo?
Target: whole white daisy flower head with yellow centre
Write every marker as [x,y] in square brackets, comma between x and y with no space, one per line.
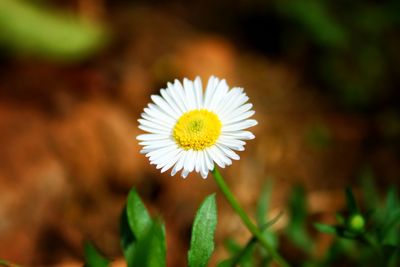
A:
[189,130]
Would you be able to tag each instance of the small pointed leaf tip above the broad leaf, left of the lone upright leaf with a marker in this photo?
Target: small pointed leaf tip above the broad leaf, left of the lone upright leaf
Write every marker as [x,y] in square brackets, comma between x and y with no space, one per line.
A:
[138,218]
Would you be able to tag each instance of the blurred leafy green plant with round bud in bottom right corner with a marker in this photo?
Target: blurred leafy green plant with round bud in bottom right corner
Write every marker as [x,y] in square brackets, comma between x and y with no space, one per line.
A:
[375,232]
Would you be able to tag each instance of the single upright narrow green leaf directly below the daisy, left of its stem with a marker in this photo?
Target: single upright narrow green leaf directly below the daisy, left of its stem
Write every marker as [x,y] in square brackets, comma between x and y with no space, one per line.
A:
[202,241]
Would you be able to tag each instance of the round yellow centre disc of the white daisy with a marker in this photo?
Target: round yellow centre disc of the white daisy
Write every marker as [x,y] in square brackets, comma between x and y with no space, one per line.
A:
[197,129]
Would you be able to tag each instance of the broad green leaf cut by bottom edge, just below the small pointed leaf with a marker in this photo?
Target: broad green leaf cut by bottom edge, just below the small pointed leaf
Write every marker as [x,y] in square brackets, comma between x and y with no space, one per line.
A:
[150,250]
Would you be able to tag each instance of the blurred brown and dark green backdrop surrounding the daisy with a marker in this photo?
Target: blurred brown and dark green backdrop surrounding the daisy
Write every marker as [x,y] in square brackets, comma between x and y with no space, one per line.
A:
[324,89]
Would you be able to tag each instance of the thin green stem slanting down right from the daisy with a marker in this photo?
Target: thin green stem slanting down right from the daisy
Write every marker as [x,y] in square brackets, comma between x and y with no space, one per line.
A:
[245,218]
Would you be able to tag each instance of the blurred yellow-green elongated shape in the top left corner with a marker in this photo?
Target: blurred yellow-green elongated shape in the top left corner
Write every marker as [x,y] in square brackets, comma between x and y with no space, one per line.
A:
[29,29]
